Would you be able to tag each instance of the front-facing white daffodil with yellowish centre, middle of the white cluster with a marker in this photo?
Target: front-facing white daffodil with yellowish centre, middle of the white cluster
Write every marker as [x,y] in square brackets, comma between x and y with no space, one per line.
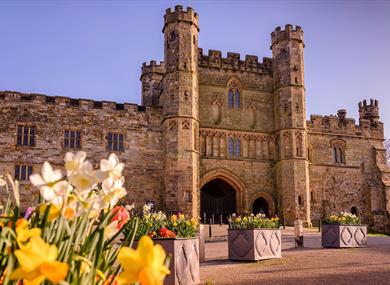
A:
[84,179]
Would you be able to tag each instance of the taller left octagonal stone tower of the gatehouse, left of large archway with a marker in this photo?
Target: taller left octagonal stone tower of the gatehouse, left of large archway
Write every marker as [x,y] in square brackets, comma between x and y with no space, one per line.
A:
[180,111]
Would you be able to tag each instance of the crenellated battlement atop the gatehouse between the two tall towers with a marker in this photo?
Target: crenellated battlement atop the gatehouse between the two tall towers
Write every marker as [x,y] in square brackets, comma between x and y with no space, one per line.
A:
[233,61]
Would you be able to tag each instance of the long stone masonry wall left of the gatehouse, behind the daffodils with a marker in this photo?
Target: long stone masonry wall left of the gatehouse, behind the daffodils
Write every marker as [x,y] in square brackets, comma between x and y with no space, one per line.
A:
[142,153]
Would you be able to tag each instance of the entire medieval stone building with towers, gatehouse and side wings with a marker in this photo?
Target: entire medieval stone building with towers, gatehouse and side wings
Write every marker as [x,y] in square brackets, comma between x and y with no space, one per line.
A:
[214,135]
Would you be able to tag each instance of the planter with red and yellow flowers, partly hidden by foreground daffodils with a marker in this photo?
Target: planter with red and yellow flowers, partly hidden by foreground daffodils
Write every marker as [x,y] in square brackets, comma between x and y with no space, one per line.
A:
[177,235]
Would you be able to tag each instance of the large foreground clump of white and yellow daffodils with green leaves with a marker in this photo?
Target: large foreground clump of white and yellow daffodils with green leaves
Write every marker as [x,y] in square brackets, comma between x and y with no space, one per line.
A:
[69,236]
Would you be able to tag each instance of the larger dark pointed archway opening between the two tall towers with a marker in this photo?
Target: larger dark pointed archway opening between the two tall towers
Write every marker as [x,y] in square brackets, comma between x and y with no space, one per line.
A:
[217,197]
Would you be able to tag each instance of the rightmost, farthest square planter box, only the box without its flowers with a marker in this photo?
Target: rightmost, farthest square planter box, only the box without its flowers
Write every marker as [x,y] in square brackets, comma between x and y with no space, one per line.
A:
[344,236]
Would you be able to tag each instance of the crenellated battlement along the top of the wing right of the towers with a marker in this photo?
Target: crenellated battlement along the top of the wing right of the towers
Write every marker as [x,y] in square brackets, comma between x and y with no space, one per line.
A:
[340,124]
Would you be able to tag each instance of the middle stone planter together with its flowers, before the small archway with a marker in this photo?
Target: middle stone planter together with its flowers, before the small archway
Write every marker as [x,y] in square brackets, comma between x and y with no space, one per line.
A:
[252,238]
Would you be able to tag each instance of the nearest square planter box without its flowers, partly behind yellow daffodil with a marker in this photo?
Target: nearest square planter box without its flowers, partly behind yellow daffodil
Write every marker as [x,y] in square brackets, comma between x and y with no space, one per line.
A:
[184,265]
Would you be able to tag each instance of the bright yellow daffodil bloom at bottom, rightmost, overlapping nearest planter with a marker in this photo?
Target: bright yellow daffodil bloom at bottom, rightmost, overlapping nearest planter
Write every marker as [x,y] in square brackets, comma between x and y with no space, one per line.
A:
[144,265]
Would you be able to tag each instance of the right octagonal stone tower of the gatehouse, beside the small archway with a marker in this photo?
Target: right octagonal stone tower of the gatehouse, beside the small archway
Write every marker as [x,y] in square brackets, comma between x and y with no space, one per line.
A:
[292,175]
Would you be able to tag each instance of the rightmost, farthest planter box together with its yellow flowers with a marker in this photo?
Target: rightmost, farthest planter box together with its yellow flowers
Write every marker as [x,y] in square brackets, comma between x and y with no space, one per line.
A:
[343,230]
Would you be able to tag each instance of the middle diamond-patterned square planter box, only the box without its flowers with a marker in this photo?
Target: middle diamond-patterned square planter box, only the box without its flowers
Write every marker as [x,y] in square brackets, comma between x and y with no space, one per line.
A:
[253,245]
